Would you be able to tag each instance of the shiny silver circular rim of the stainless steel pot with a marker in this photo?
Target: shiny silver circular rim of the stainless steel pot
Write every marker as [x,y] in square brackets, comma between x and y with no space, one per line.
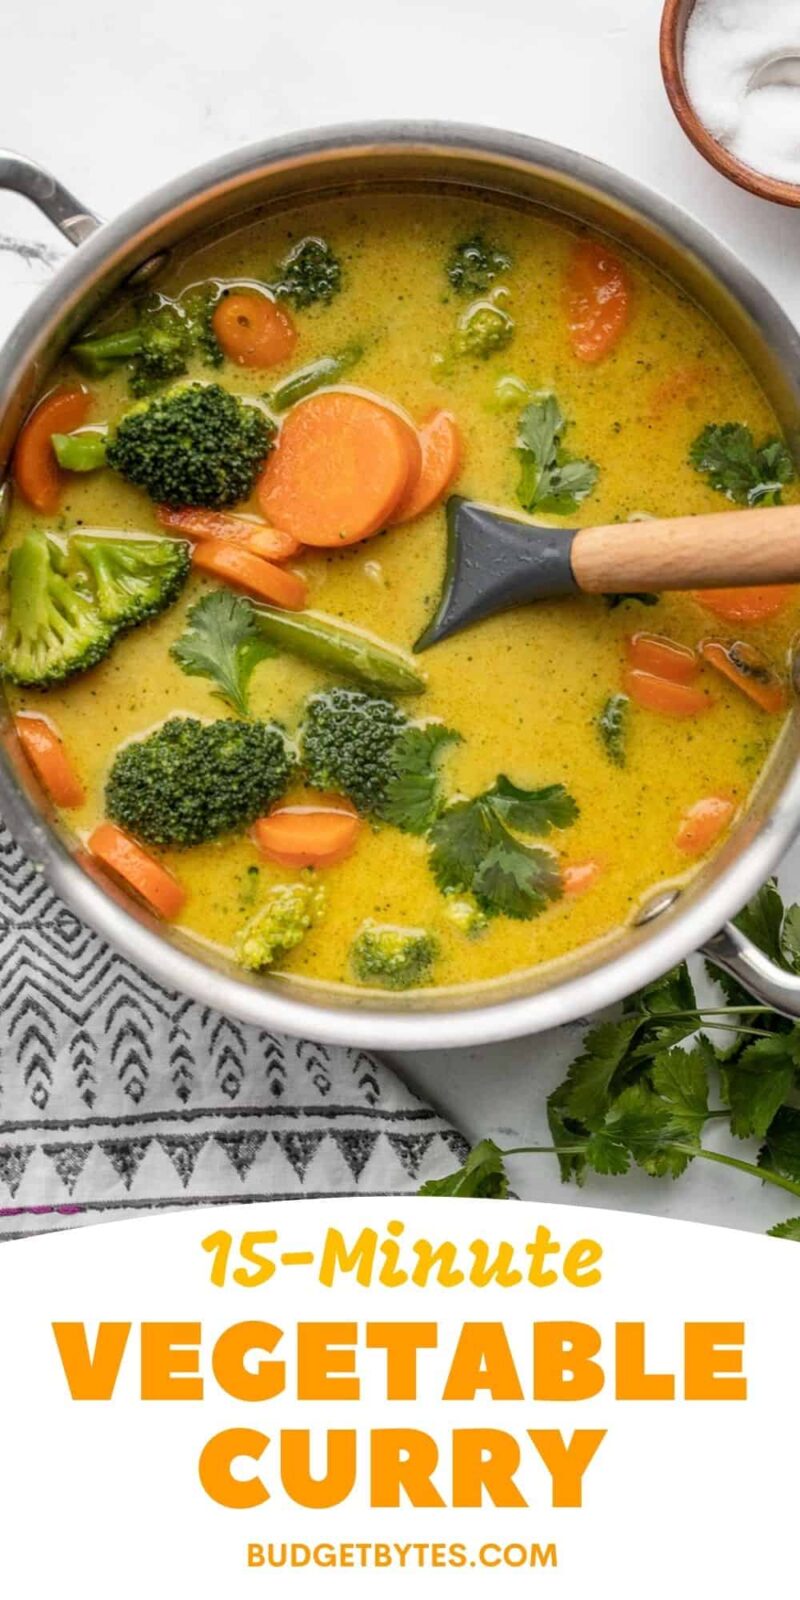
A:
[695,921]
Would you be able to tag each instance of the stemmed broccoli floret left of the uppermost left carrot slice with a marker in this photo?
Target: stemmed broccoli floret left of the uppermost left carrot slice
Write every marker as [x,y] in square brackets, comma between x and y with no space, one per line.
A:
[161,345]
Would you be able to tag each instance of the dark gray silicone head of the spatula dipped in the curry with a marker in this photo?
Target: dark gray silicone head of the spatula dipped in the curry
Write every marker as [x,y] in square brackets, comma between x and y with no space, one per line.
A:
[497,562]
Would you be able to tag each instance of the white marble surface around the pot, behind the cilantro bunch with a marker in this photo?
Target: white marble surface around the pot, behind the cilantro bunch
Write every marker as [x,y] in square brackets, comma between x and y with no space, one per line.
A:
[119,100]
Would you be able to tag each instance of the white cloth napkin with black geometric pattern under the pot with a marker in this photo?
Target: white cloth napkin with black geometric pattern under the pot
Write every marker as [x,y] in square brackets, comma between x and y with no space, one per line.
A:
[119,1097]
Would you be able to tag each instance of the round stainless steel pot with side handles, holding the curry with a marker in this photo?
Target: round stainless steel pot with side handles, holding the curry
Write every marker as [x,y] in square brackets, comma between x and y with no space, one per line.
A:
[521,174]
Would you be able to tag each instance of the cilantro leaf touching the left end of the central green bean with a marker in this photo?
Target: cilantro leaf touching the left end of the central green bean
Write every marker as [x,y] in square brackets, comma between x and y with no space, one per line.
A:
[223,642]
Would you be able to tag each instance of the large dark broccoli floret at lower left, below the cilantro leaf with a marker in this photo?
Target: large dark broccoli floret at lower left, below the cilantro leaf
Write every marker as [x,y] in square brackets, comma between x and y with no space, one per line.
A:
[191,782]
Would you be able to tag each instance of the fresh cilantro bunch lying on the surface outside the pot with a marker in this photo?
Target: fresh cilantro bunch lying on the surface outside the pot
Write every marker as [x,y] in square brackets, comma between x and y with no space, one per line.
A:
[646,1086]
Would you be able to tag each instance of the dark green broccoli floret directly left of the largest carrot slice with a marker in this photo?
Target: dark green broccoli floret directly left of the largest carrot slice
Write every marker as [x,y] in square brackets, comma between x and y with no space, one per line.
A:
[198,446]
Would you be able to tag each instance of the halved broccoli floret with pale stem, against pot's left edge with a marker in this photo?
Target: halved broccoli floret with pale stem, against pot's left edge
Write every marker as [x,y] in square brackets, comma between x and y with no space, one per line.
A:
[54,623]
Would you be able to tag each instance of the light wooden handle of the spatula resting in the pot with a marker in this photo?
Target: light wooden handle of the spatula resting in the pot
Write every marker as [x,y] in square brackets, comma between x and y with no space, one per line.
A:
[724,551]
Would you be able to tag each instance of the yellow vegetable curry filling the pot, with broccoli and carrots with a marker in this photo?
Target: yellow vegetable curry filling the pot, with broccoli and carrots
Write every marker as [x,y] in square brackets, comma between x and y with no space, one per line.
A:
[234,505]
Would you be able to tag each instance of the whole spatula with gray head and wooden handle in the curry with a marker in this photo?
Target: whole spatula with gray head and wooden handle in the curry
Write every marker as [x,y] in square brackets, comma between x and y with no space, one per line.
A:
[497,562]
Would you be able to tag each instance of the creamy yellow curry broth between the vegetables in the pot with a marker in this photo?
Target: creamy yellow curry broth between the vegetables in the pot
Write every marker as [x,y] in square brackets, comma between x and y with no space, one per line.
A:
[522,689]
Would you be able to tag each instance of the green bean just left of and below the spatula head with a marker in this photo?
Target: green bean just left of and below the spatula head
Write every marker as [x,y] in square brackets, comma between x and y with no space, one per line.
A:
[340,650]
